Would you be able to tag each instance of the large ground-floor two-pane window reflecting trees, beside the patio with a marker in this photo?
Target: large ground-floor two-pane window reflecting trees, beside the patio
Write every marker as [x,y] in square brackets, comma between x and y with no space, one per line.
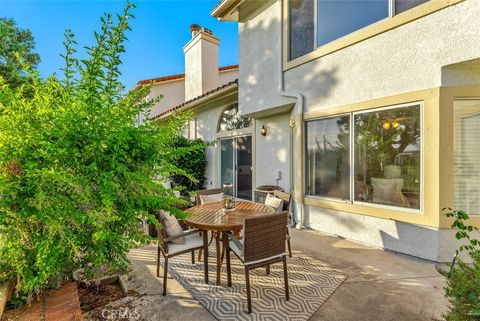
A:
[376,161]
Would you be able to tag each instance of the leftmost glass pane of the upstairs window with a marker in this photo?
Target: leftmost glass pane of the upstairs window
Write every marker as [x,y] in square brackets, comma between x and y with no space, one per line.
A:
[302,28]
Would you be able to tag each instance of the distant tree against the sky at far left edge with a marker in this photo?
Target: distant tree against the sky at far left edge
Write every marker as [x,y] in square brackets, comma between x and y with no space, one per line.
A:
[16,53]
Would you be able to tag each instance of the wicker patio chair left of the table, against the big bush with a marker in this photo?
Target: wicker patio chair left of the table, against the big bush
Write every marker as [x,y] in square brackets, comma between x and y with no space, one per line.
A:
[194,240]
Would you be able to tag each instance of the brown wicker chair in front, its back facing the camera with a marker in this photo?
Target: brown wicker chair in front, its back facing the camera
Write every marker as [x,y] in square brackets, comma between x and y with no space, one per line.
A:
[263,244]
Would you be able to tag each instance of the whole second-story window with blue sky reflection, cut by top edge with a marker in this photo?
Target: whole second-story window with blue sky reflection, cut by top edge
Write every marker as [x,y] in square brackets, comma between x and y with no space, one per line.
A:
[314,23]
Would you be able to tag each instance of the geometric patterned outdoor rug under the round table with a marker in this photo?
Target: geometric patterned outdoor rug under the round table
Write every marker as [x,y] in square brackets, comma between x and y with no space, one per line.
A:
[311,284]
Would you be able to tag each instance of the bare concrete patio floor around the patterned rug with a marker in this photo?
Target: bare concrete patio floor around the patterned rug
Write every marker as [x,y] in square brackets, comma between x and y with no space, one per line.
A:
[381,286]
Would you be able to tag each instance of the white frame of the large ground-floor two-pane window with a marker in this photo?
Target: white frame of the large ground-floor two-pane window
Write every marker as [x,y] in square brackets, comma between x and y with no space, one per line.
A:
[352,158]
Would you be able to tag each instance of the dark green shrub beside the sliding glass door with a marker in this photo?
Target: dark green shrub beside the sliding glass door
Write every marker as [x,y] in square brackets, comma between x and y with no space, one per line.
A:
[193,161]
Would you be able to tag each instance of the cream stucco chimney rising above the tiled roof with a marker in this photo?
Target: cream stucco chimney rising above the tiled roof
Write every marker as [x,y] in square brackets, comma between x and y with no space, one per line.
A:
[201,62]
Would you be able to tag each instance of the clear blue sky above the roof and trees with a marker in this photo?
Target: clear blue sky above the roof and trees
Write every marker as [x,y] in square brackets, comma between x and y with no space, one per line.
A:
[154,49]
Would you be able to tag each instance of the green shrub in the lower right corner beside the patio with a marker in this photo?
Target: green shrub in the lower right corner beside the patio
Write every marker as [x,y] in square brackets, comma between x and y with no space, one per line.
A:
[463,281]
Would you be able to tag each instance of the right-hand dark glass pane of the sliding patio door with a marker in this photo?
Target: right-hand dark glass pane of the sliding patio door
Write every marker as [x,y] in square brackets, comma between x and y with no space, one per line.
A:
[244,167]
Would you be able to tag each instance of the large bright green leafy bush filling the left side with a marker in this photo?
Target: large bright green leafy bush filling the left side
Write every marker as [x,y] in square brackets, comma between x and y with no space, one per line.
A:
[76,173]
